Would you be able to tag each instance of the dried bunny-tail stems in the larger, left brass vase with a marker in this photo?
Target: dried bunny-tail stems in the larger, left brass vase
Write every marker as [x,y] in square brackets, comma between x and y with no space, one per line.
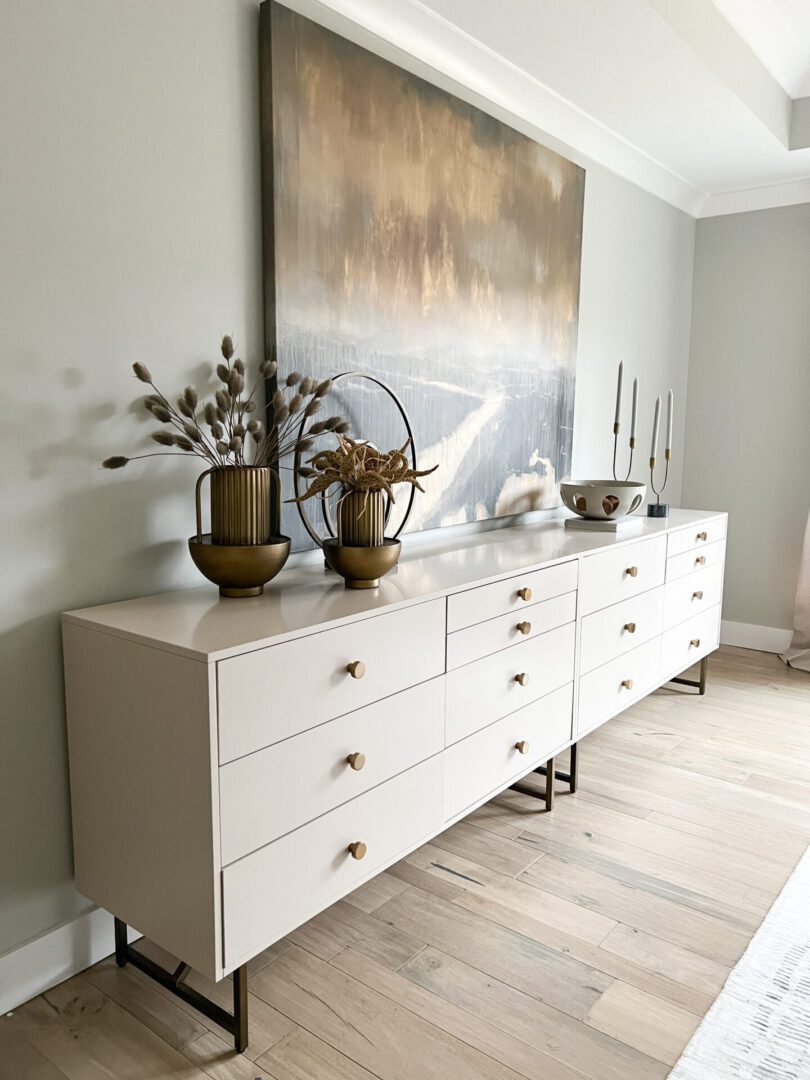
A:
[228,418]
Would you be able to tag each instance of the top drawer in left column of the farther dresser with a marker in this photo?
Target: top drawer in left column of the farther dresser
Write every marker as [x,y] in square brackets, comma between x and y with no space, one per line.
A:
[614,576]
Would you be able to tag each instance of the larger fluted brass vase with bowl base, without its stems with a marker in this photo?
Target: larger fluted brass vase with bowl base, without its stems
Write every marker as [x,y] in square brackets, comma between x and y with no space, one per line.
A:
[244,550]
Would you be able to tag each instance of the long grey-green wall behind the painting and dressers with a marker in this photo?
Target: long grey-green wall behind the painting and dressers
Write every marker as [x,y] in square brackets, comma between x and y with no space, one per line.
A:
[130,231]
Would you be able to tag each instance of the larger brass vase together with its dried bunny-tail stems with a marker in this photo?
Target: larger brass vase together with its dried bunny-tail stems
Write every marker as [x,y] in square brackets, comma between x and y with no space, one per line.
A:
[245,548]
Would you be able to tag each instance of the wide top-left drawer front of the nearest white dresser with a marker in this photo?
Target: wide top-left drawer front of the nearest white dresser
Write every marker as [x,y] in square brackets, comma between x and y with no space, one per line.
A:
[276,693]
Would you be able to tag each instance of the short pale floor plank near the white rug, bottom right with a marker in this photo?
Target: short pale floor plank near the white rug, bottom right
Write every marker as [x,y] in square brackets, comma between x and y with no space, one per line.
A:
[642,1021]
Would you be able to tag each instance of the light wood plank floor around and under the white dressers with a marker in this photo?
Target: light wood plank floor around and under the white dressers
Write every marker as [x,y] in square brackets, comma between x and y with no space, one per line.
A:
[587,943]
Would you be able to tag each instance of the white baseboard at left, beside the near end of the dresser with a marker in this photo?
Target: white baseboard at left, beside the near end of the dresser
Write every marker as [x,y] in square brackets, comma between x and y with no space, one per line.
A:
[48,961]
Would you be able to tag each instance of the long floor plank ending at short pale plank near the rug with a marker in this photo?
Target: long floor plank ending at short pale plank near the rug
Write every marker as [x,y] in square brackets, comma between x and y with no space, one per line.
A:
[558,980]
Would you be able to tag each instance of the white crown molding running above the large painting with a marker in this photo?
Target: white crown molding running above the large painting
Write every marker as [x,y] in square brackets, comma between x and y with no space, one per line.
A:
[420,40]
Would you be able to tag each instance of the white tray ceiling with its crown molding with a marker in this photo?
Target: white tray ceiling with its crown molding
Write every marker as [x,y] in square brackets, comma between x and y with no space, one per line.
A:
[697,101]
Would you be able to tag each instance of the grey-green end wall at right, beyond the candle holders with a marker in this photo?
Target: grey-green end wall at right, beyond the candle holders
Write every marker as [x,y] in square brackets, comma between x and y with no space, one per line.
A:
[748,421]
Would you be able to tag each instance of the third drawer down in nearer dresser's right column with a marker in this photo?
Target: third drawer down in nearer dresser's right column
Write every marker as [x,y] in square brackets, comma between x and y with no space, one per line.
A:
[482,693]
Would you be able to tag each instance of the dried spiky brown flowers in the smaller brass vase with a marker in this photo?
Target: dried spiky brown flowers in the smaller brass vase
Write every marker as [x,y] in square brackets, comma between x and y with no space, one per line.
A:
[356,466]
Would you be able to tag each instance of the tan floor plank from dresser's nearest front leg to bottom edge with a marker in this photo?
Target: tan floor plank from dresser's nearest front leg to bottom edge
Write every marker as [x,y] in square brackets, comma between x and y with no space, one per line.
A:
[367,1027]
